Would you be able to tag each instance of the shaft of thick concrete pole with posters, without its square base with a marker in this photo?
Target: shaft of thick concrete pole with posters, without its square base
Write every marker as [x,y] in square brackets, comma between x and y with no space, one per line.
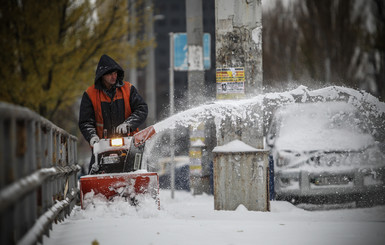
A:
[239,65]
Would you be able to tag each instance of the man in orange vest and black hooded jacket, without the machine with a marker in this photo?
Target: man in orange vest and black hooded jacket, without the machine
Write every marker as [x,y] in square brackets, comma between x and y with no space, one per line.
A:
[110,104]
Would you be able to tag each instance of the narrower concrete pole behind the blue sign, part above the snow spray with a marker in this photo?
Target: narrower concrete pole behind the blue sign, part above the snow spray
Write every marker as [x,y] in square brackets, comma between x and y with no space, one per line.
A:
[194,24]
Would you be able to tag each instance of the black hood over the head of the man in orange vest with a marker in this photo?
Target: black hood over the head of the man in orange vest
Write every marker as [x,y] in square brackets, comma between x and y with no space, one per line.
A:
[107,64]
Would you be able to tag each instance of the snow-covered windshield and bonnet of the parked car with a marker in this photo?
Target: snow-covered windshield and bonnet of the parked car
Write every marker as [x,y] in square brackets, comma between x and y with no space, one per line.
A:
[326,126]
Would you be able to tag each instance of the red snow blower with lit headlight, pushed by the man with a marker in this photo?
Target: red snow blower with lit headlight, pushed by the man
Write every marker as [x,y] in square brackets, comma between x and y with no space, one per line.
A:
[118,170]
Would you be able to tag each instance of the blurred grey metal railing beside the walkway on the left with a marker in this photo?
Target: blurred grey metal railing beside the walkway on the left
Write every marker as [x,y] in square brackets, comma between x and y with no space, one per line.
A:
[38,175]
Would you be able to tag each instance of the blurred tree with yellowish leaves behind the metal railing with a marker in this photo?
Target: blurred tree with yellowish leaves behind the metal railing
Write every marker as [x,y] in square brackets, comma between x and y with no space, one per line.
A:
[50,48]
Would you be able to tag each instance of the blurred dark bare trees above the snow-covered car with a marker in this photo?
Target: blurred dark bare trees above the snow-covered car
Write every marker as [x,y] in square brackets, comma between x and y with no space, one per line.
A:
[318,43]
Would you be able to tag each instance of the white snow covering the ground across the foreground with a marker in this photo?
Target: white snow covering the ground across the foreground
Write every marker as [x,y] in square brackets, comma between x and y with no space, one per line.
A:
[189,219]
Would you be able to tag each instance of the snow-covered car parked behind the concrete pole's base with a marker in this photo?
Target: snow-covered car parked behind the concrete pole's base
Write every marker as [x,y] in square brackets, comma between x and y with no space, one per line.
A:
[323,151]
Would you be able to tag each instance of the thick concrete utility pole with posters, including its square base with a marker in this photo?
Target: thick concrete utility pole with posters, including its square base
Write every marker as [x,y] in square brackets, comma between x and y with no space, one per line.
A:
[238,32]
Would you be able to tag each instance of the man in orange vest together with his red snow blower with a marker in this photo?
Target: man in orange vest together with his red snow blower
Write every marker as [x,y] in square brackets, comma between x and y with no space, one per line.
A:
[111,111]
